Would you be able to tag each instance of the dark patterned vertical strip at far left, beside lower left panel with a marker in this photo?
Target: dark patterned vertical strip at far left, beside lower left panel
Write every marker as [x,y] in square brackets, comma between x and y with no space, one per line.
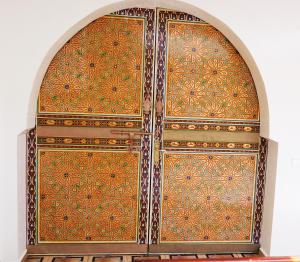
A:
[31,185]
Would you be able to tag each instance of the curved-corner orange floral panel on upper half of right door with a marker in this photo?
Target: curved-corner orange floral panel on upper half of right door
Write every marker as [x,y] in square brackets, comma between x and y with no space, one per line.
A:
[206,76]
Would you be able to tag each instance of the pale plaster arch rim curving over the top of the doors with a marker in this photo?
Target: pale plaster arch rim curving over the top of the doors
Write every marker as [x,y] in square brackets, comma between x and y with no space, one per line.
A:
[187,6]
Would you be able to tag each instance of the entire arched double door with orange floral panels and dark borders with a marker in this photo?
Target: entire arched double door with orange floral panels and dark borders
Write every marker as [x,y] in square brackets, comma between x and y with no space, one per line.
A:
[147,140]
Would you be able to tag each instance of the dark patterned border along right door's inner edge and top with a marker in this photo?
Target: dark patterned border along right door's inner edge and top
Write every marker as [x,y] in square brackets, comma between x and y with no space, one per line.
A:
[162,17]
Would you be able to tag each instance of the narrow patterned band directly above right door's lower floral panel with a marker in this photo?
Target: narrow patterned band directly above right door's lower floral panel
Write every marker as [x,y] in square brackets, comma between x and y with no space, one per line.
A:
[211,145]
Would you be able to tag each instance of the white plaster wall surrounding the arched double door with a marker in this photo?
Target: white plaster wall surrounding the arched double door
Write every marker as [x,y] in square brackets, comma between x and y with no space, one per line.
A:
[33,30]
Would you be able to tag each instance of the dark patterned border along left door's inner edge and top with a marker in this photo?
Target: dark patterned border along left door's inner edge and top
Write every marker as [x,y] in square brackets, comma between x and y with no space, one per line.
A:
[149,15]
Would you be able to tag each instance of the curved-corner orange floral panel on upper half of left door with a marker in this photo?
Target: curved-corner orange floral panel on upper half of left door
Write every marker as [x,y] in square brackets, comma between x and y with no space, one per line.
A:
[98,71]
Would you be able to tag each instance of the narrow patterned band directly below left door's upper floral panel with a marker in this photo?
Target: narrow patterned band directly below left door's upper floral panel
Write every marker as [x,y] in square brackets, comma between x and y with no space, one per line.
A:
[89,123]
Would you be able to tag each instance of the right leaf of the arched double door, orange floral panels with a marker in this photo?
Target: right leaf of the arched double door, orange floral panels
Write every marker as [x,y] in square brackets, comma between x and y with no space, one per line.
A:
[206,140]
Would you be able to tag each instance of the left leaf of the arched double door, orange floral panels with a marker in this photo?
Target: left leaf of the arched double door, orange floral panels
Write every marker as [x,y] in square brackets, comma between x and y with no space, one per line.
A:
[94,134]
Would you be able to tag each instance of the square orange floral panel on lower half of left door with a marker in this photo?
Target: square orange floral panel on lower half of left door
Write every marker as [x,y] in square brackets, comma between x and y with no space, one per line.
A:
[88,196]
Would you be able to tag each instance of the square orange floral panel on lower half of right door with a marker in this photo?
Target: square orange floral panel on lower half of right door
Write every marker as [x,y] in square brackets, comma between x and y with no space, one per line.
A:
[207,197]
